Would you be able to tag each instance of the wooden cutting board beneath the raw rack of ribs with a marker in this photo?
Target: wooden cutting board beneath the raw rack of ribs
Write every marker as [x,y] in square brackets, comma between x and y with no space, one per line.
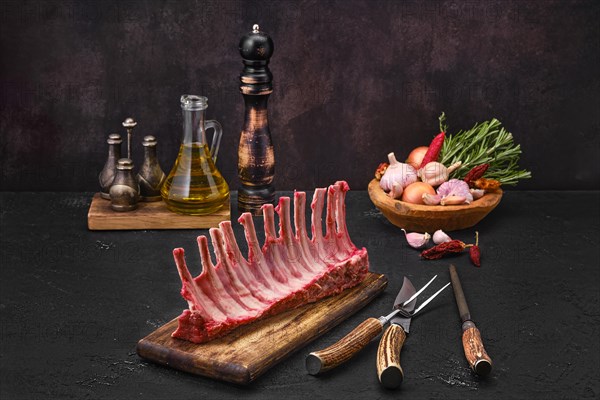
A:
[247,352]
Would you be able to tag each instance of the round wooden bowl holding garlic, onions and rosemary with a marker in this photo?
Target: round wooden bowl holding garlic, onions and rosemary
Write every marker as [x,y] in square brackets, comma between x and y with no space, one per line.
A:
[423,218]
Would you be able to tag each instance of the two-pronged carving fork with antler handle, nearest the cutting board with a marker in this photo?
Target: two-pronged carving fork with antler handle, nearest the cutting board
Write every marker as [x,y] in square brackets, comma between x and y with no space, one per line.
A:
[338,353]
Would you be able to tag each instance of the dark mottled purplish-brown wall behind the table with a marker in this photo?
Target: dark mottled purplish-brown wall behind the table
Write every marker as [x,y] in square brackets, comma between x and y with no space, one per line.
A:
[354,80]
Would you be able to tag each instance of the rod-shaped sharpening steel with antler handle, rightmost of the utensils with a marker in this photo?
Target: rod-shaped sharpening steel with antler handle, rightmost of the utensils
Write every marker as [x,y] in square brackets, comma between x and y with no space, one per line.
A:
[475,353]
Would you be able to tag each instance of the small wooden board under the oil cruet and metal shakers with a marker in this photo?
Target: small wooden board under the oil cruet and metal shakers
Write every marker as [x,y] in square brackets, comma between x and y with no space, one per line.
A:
[148,215]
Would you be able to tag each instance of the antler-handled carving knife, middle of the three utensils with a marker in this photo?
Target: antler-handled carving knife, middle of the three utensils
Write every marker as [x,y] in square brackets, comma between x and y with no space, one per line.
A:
[389,371]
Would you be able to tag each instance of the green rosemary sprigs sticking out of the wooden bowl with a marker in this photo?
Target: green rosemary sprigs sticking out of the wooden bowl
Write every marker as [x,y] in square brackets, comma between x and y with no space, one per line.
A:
[487,142]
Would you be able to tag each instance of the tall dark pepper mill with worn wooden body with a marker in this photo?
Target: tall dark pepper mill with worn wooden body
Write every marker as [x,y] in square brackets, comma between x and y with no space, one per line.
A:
[256,160]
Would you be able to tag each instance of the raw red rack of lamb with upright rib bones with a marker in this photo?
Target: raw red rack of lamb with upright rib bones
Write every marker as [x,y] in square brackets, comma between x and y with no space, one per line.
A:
[289,271]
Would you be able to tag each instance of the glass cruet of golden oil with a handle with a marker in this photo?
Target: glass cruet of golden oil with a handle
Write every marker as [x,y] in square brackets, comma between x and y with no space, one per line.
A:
[195,186]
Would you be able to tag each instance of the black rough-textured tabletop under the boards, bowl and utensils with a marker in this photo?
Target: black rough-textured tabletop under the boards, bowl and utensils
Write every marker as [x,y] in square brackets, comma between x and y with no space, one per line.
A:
[73,304]
